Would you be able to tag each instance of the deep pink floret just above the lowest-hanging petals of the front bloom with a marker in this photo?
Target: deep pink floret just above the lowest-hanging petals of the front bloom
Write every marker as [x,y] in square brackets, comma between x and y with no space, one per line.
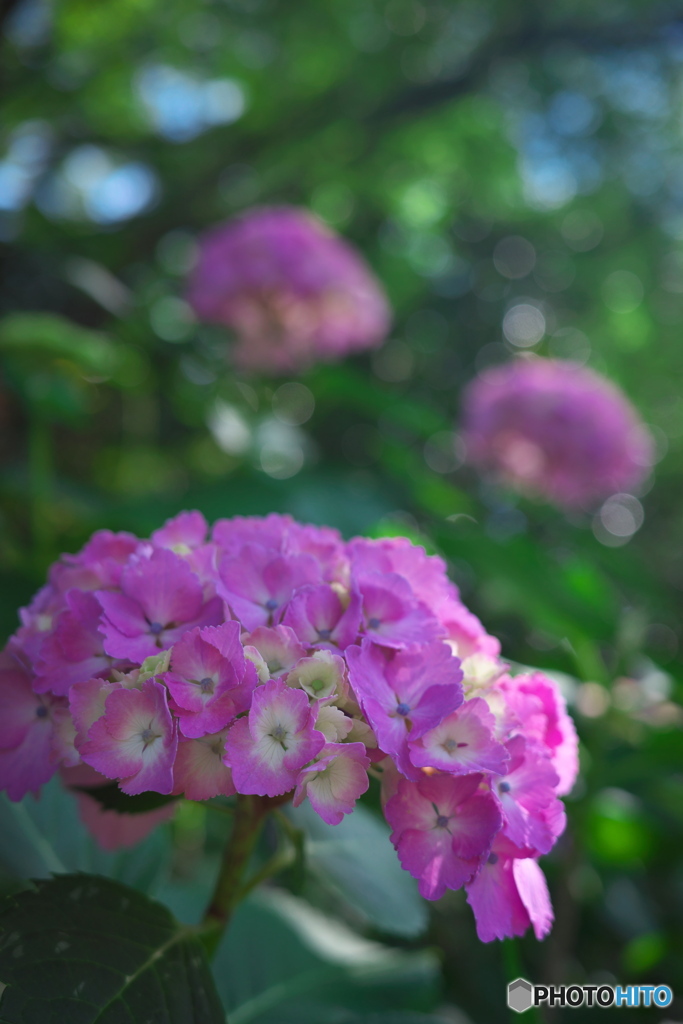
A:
[444,829]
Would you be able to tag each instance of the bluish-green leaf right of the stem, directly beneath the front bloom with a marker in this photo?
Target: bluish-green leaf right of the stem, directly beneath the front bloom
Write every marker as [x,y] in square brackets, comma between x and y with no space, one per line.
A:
[357,862]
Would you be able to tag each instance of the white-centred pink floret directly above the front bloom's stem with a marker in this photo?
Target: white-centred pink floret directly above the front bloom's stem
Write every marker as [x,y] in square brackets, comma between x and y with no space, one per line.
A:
[268,750]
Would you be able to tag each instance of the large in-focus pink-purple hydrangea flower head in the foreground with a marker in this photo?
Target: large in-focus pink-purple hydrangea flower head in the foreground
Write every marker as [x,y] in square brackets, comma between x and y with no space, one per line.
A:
[275,659]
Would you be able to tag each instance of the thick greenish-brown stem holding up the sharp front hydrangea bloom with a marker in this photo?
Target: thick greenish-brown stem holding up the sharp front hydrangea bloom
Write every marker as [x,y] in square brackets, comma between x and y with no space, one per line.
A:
[250,814]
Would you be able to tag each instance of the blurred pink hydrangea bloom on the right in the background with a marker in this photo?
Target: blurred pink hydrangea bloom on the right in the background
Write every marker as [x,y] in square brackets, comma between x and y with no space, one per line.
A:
[558,431]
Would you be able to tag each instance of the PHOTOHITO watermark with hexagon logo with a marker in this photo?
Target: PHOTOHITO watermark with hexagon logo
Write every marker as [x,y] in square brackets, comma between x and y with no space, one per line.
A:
[523,996]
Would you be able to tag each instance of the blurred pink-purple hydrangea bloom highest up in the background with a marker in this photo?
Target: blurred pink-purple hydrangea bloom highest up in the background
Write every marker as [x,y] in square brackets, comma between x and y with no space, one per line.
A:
[292,291]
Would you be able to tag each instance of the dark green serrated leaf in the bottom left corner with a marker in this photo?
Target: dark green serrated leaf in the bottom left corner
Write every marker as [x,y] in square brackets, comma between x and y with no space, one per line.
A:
[89,951]
